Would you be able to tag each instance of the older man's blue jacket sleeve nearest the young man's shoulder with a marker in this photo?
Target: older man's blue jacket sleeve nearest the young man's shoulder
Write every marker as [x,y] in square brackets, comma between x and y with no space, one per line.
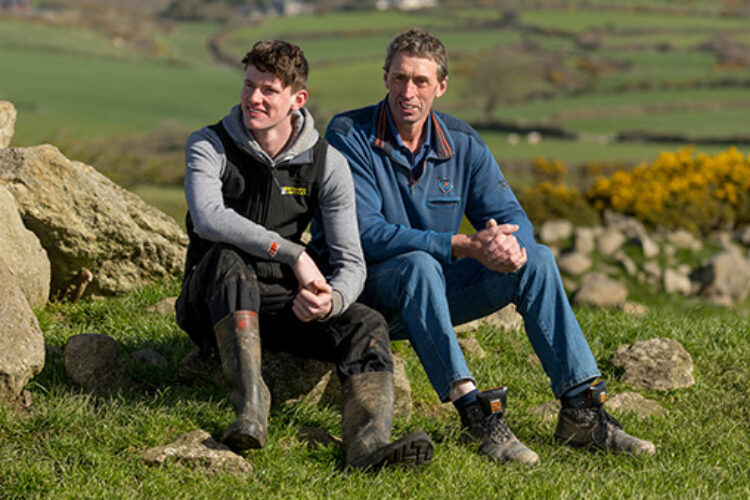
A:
[380,238]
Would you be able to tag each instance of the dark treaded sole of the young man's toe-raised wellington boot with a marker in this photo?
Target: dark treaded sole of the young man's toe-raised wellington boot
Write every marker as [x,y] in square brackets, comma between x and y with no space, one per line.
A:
[414,449]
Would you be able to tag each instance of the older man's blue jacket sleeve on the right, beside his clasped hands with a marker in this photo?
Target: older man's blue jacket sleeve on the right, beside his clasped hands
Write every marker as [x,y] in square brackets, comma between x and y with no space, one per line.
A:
[490,197]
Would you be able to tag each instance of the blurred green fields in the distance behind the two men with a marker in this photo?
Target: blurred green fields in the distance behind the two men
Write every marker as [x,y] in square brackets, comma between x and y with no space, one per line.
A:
[79,83]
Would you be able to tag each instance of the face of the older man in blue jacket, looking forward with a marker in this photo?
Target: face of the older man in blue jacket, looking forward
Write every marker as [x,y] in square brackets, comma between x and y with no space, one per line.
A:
[413,85]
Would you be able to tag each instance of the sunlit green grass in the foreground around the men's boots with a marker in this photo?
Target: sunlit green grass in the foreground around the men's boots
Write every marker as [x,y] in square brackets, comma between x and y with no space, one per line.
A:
[74,445]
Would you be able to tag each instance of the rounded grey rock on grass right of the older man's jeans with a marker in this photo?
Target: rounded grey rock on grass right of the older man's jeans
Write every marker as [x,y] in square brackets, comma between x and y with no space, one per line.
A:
[661,364]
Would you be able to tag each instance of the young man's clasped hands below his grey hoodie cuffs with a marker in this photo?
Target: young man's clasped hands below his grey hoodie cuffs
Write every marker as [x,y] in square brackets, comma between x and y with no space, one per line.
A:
[314,299]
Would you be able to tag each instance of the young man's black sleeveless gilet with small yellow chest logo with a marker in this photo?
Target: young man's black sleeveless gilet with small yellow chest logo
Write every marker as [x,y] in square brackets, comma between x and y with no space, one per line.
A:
[283,198]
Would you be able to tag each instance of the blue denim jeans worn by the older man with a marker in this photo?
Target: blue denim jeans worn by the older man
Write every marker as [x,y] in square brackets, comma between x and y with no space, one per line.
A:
[422,299]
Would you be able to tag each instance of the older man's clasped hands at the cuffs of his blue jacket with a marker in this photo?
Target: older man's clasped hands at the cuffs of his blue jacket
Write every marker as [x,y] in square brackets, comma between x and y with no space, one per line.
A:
[494,246]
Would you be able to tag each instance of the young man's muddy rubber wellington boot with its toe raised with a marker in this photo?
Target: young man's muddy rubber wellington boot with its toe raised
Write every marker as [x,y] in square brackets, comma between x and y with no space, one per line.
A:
[366,419]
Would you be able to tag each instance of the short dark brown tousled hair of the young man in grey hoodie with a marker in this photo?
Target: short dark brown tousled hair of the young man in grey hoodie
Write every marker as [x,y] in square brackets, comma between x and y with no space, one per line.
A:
[283,59]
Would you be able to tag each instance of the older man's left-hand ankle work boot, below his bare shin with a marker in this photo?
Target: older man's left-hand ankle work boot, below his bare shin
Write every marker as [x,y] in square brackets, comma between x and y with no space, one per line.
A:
[484,424]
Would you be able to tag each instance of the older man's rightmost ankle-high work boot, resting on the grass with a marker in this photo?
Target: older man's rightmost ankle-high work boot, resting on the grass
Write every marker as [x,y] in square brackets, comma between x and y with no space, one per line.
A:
[583,421]
